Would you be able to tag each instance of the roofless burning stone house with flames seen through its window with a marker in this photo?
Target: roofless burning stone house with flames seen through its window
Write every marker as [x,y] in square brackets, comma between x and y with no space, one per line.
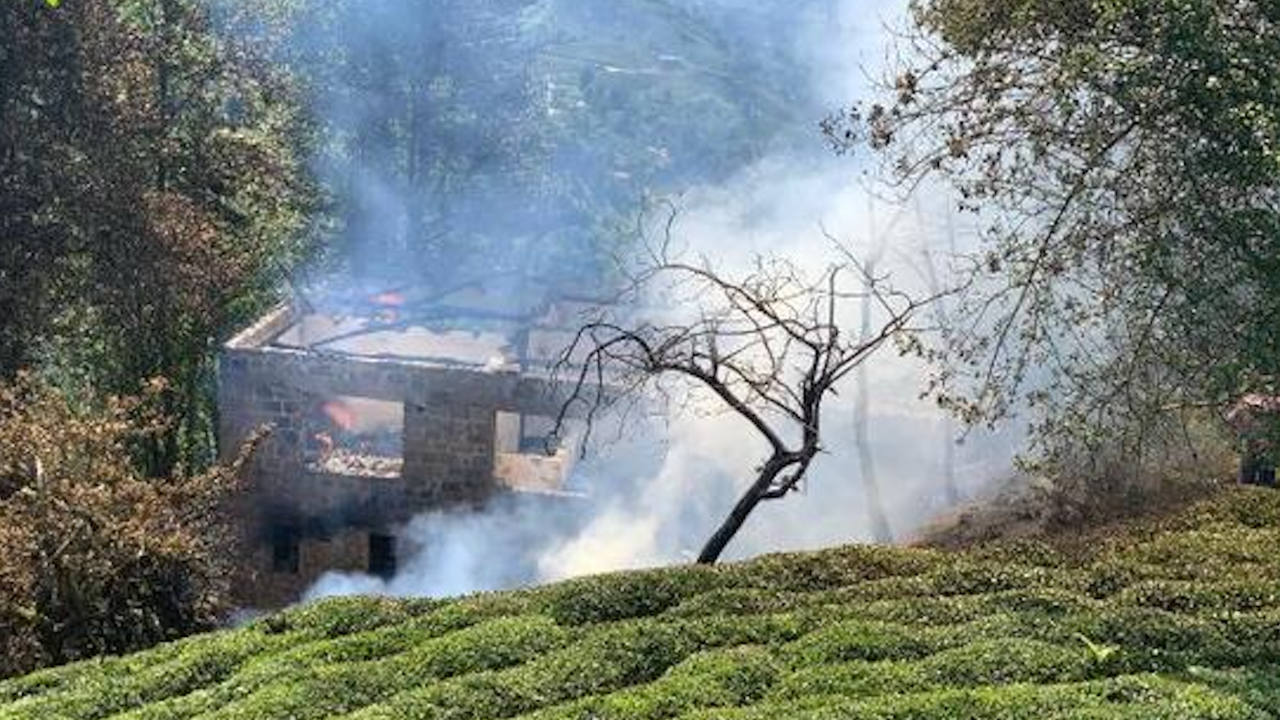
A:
[383,408]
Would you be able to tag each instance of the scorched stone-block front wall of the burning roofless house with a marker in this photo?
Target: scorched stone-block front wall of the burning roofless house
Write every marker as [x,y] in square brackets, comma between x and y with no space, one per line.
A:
[450,435]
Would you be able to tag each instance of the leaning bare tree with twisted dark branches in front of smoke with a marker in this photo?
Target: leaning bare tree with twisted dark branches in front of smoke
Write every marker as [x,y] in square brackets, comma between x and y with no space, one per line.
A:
[767,345]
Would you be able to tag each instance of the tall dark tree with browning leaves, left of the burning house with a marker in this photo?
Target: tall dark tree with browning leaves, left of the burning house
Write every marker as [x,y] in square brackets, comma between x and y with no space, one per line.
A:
[154,197]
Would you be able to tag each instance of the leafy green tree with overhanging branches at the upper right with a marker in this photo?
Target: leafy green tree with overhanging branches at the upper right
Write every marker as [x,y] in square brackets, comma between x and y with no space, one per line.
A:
[1123,158]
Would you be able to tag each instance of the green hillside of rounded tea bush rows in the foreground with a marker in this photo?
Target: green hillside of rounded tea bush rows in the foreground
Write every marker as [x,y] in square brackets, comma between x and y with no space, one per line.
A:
[1171,621]
